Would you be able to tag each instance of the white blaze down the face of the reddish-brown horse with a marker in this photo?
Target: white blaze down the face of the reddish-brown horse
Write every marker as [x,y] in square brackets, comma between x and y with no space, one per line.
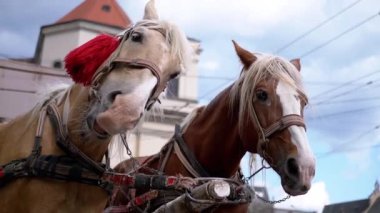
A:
[291,105]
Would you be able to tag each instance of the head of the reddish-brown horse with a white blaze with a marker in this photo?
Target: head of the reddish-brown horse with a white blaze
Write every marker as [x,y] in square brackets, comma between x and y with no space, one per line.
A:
[271,105]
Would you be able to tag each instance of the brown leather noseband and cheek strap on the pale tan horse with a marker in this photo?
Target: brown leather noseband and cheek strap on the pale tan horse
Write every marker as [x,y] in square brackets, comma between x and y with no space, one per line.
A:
[133,63]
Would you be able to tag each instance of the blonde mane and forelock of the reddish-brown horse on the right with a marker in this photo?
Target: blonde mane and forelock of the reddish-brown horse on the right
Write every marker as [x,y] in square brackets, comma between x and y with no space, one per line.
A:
[266,66]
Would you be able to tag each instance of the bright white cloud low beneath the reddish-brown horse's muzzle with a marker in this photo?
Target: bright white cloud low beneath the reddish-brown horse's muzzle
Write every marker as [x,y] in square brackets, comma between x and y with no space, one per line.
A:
[314,200]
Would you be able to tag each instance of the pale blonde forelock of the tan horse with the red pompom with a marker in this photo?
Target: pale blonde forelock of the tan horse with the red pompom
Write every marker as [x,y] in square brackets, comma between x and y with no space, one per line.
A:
[179,45]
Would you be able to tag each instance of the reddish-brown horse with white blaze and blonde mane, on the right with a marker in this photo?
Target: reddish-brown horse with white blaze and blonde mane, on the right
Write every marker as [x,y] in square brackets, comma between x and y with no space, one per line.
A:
[262,112]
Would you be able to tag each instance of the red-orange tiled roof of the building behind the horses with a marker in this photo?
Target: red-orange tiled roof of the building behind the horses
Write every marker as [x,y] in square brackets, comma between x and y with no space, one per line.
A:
[100,11]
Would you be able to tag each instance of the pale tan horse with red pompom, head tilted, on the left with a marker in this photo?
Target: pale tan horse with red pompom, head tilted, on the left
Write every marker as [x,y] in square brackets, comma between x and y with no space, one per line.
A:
[84,117]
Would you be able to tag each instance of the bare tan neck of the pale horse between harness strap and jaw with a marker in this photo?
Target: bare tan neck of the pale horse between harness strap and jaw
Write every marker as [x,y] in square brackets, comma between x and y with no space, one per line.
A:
[89,144]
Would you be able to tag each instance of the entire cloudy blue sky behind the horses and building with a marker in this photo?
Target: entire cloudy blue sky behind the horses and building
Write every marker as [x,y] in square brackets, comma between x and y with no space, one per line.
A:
[339,46]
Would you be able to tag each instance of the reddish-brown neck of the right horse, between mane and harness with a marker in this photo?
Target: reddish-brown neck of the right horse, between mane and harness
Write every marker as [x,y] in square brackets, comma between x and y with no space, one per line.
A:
[213,137]
